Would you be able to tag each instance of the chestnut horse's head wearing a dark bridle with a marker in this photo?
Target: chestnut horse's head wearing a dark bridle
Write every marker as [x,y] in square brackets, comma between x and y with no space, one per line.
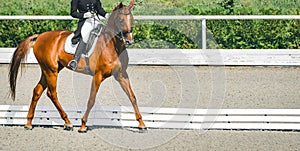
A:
[121,18]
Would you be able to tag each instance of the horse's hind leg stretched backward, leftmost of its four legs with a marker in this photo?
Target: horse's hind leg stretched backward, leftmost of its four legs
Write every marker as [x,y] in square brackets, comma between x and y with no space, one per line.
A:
[37,92]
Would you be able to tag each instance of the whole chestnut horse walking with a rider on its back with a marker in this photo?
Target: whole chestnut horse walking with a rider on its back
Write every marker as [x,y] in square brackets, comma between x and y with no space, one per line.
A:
[109,58]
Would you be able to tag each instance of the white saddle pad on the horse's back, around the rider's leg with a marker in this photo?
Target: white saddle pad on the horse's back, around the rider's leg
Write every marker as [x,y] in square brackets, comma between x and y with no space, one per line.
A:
[70,48]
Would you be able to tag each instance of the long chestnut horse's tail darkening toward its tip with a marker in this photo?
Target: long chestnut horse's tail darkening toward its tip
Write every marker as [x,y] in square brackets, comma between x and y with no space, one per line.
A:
[18,56]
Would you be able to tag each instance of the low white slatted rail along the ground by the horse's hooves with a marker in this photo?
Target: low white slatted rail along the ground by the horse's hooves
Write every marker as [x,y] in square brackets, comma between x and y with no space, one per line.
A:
[171,118]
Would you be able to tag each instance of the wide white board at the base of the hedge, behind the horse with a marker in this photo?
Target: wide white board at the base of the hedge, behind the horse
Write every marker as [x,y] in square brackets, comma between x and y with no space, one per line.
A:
[250,57]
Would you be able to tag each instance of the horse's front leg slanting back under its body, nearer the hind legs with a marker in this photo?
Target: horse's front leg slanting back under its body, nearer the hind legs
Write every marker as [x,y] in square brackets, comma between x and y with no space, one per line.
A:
[97,79]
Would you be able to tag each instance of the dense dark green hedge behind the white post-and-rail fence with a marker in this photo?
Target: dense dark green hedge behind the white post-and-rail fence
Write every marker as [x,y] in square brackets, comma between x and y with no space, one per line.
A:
[225,34]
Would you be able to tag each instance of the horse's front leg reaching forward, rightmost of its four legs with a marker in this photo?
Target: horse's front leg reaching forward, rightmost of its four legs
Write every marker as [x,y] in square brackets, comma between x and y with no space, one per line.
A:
[124,81]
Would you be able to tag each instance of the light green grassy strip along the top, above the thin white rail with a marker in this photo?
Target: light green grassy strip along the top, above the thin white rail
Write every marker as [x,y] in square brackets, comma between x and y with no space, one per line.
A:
[149,7]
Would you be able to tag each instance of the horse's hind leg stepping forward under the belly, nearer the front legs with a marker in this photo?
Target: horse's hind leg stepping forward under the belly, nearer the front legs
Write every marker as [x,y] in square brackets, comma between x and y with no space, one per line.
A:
[52,94]
